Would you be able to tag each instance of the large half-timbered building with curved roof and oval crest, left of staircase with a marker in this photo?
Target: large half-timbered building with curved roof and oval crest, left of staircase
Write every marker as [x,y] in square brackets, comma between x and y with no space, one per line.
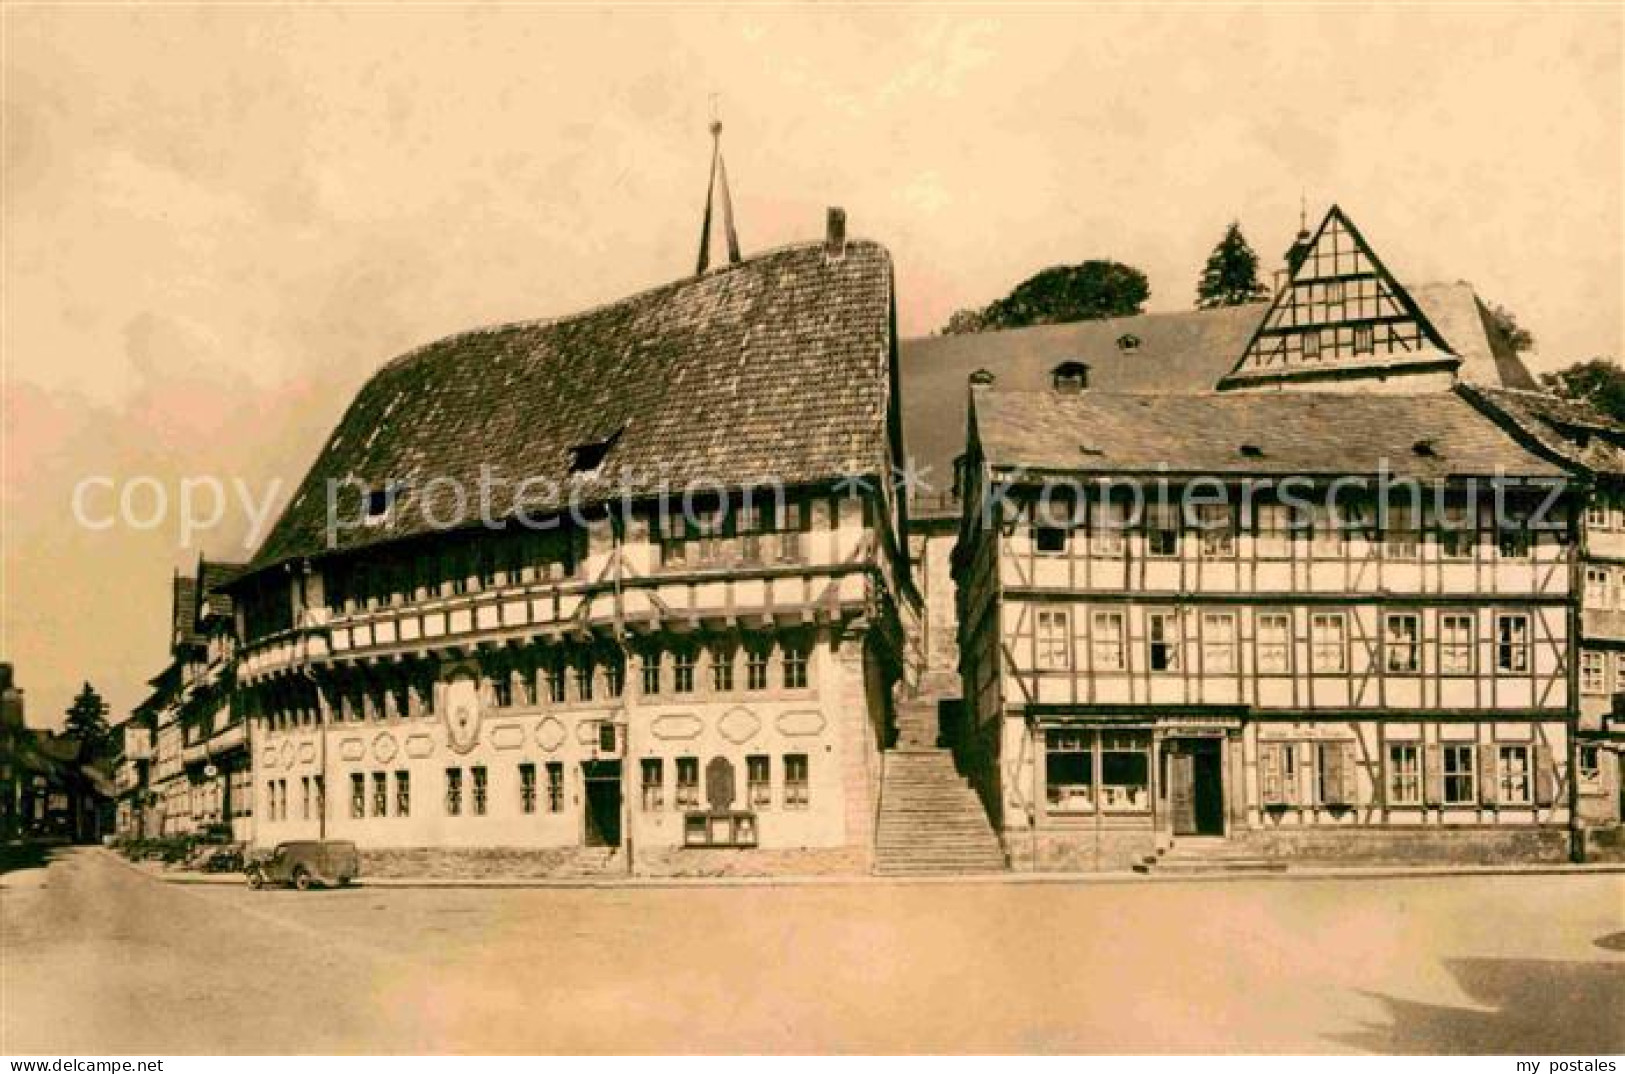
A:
[620,591]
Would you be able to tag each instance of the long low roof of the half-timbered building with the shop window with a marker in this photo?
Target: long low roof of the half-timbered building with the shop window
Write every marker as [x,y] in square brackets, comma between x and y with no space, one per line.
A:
[1289,433]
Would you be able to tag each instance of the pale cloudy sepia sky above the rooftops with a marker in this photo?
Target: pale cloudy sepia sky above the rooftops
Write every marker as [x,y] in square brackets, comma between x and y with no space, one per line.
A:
[220,222]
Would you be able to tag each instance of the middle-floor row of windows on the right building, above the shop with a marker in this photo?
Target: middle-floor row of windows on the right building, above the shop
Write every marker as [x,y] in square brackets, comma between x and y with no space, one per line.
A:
[1218,649]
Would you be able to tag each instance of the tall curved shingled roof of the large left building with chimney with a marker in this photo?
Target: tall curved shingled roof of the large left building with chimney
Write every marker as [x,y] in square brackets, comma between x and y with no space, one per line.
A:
[774,368]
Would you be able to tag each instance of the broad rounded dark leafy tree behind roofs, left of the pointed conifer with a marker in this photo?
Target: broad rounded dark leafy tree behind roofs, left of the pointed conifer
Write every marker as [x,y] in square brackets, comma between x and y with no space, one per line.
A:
[1059,297]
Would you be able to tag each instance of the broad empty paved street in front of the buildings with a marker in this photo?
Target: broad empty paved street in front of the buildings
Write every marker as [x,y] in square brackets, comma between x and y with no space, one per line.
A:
[102,959]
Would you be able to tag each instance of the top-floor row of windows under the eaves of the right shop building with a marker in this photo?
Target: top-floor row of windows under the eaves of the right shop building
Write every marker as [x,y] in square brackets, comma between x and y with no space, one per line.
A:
[1278,532]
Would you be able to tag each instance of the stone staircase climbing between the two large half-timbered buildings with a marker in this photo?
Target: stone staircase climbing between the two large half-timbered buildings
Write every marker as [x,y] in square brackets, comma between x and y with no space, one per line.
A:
[930,823]
